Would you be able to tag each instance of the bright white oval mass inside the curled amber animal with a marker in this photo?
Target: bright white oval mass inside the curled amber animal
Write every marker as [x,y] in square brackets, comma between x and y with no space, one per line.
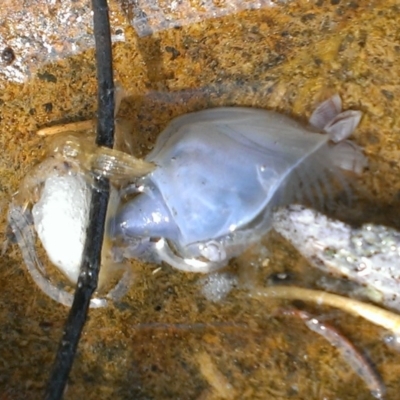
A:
[61,218]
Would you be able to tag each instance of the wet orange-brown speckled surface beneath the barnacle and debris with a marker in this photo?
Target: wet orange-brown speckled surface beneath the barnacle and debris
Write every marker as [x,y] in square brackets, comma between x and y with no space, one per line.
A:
[165,339]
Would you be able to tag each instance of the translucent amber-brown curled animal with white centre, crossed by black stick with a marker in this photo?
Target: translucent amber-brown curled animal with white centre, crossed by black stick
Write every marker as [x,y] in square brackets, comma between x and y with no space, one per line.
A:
[52,205]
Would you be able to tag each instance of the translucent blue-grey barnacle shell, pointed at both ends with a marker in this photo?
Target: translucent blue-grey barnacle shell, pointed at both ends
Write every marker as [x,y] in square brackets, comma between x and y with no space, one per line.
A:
[217,171]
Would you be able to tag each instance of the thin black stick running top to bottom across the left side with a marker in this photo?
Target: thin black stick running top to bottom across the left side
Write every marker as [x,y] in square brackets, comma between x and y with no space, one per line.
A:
[87,282]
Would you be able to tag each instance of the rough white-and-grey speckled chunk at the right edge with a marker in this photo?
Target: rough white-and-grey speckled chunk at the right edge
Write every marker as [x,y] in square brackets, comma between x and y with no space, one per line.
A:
[369,255]
